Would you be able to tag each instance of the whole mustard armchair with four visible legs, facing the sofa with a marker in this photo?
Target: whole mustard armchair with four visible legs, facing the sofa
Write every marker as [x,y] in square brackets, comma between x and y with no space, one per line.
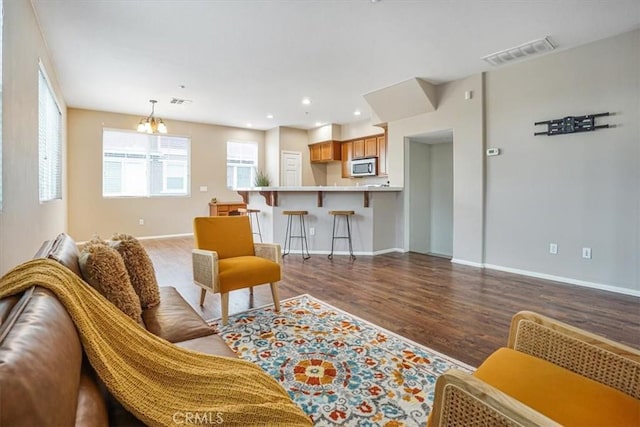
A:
[226,259]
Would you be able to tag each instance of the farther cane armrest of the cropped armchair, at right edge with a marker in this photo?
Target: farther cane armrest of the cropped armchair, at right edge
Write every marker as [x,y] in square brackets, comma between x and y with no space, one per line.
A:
[592,356]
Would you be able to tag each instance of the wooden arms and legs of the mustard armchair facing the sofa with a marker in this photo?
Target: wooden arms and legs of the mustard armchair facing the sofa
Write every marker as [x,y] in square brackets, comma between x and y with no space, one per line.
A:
[205,274]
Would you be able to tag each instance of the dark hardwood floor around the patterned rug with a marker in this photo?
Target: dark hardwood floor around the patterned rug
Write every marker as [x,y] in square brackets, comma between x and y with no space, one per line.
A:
[461,311]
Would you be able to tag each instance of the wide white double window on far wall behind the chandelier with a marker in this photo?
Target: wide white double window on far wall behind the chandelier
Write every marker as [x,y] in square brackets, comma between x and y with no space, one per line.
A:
[146,151]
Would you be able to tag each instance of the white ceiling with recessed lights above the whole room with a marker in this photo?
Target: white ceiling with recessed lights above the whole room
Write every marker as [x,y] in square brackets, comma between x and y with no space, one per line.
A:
[238,61]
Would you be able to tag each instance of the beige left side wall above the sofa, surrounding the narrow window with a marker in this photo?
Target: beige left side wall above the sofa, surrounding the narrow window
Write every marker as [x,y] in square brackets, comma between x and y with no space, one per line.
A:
[24,222]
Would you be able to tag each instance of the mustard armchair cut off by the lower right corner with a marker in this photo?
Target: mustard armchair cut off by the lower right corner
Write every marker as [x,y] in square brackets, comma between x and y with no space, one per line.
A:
[550,374]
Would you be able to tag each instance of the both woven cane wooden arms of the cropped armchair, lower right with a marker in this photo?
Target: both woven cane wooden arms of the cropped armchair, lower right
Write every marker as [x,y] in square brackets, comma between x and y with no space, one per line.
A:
[464,400]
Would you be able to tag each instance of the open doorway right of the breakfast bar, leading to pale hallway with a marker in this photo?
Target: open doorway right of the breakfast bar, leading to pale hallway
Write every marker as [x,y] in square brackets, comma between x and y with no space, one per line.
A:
[431,193]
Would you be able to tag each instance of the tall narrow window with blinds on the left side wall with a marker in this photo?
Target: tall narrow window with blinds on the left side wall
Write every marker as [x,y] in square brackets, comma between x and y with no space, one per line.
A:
[49,142]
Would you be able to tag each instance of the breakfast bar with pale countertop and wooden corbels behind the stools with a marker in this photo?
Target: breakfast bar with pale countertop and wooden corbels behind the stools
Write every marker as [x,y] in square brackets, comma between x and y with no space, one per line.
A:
[374,227]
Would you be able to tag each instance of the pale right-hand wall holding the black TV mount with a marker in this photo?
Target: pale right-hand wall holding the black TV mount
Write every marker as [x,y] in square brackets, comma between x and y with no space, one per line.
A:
[579,190]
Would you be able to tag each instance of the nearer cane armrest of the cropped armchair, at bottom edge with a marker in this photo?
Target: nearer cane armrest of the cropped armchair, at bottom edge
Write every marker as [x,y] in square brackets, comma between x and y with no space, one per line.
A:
[461,399]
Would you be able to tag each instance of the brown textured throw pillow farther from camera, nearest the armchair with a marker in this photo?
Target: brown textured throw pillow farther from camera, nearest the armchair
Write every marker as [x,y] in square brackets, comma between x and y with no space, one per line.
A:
[140,269]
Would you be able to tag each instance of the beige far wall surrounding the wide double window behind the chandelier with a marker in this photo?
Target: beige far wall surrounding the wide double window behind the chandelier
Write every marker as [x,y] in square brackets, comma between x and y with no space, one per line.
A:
[90,213]
